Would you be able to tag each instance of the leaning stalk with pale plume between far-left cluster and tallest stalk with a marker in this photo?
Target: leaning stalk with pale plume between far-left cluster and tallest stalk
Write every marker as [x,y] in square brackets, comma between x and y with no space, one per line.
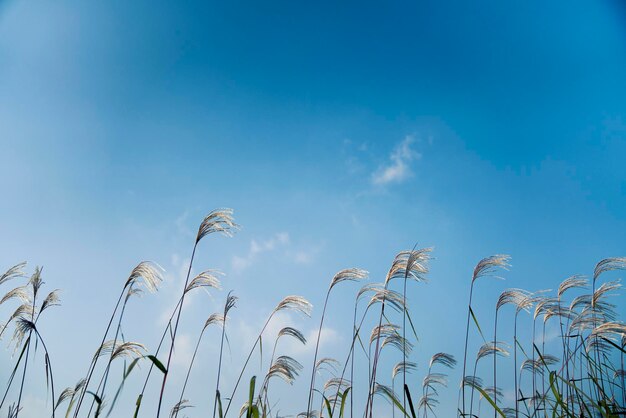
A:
[151,275]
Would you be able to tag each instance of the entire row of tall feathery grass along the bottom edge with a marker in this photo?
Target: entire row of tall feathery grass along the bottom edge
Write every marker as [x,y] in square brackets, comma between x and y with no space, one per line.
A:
[578,373]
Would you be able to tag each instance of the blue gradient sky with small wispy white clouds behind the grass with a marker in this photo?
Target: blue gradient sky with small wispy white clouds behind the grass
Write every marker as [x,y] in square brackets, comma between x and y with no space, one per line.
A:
[340,134]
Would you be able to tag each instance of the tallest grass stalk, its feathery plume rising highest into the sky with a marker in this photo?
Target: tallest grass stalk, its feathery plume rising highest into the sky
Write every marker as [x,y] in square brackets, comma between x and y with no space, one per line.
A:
[219,220]
